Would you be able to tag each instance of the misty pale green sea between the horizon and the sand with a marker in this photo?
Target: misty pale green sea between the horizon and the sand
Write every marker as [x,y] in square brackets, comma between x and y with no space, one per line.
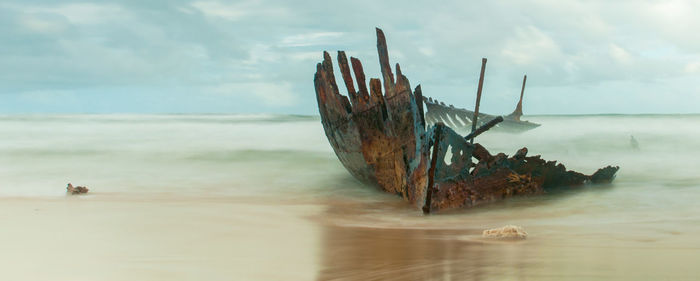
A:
[289,154]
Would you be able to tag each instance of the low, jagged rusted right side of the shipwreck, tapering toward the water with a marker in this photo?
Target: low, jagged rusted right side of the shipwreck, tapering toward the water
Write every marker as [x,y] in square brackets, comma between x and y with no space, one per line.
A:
[494,178]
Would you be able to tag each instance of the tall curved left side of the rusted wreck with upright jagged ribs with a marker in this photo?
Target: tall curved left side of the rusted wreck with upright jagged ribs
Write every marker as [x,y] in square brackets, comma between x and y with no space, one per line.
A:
[380,139]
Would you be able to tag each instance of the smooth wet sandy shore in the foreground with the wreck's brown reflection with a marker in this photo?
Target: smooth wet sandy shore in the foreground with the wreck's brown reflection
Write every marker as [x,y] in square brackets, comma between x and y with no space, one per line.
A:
[169,237]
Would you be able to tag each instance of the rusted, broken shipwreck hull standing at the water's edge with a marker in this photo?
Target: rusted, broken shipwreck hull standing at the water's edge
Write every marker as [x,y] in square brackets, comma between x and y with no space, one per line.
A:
[379,134]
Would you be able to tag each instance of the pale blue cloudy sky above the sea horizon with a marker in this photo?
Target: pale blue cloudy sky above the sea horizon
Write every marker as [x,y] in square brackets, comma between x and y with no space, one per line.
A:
[259,56]
